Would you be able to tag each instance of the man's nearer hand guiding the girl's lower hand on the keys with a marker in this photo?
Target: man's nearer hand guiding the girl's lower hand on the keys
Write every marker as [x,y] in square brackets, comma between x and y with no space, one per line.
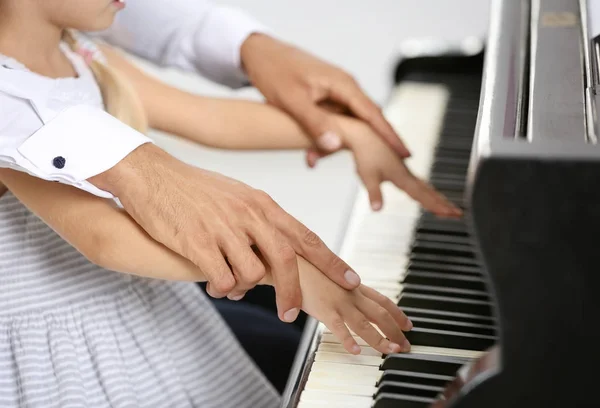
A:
[214,221]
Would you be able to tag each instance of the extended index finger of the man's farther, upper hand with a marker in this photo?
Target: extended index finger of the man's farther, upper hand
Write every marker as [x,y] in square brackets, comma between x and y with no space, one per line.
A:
[352,96]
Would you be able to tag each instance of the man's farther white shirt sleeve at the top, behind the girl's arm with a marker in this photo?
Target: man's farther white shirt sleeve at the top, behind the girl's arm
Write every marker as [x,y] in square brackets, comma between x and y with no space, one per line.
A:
[194,35]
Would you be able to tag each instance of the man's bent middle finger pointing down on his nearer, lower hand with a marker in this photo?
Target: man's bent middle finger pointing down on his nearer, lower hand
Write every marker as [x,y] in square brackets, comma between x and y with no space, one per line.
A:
[283,261]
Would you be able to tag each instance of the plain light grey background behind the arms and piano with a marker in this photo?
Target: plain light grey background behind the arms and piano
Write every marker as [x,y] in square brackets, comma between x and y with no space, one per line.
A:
[364,38]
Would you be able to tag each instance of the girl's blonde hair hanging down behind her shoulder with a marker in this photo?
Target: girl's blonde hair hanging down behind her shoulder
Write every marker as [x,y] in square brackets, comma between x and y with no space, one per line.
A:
[120,98]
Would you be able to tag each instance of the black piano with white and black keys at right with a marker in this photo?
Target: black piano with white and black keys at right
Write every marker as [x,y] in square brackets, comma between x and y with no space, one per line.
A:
[504,301]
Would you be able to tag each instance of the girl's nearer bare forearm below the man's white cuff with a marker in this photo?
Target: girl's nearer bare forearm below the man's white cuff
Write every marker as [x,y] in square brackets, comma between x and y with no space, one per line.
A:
[97,228]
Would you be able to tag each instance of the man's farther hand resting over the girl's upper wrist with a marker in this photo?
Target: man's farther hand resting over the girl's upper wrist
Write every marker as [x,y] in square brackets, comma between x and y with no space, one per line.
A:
[302,84]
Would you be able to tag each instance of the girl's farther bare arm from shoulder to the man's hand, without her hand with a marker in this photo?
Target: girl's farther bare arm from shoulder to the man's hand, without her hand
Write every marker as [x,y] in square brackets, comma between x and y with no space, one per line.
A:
[220,123]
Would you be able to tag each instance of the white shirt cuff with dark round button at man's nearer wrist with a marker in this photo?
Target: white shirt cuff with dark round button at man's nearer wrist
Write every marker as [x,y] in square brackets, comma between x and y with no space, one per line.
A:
[79,143]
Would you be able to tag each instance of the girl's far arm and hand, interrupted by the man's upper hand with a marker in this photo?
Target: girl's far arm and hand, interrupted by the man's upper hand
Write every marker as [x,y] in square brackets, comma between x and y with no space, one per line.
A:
[235,124]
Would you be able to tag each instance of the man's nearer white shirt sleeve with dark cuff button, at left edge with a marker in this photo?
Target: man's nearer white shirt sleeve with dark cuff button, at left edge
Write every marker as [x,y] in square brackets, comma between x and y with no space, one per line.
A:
[79,143]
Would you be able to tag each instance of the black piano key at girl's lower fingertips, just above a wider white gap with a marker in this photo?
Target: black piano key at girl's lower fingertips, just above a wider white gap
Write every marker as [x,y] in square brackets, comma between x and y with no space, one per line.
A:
[449,339]
